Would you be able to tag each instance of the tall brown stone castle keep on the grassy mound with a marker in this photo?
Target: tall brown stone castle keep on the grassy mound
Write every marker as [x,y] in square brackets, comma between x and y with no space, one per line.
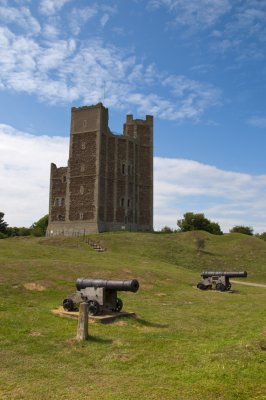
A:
[108,183]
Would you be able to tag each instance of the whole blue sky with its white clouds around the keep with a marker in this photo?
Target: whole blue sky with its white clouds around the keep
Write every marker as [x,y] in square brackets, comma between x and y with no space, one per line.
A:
[198,66]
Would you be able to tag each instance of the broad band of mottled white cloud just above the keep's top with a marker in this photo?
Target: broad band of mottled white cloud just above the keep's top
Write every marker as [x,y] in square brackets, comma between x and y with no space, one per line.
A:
[59,71]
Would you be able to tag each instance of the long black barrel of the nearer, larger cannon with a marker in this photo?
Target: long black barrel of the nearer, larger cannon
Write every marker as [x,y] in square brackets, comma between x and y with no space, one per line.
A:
[124,286]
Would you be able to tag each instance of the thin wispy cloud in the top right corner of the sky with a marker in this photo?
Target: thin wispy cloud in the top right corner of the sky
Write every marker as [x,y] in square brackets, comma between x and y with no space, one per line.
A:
[234,27]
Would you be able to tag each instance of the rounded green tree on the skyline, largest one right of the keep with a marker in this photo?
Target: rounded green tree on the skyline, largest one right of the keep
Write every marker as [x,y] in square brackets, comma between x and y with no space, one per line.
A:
[198,222]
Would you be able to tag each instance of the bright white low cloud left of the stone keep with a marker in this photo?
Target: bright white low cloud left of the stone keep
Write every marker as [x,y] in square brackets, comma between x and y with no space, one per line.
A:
[24,173]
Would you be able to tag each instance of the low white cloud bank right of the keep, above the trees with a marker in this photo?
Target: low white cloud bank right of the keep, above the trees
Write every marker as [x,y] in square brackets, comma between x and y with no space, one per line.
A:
[226,197]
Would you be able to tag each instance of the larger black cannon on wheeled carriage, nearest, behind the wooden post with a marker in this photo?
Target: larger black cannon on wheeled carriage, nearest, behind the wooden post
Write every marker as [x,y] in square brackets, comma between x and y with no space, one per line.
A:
[100,294]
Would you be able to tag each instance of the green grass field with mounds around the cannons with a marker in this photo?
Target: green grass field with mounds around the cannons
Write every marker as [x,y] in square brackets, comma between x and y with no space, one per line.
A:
[185,344]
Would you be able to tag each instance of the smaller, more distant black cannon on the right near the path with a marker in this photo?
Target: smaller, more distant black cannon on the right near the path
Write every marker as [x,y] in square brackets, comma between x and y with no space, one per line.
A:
[218,280]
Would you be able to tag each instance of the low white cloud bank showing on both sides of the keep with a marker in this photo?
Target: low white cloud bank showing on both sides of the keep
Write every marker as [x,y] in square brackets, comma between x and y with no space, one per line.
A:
[229,198]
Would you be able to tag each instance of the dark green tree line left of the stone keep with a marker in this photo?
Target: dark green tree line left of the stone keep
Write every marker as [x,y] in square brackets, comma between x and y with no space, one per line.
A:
[38,228]
